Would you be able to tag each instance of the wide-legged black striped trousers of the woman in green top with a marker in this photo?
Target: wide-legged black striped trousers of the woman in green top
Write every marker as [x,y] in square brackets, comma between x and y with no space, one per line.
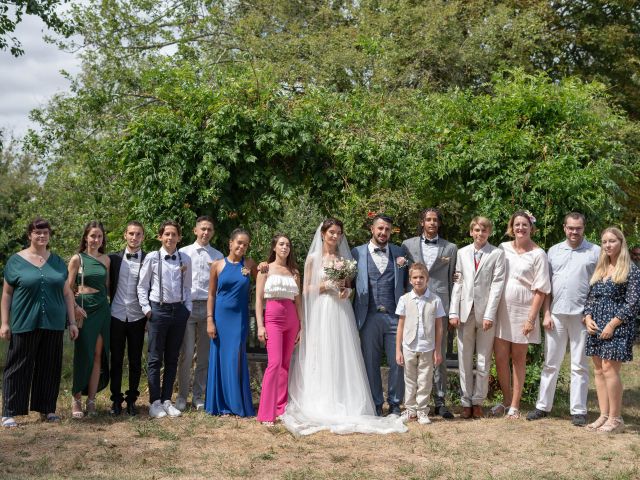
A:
[33,368]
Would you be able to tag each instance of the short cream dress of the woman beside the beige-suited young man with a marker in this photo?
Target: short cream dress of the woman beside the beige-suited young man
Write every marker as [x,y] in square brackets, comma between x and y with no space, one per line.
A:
[525,273]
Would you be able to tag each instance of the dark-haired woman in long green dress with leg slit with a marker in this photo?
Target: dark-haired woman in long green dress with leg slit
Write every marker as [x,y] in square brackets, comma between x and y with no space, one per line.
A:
[89,276]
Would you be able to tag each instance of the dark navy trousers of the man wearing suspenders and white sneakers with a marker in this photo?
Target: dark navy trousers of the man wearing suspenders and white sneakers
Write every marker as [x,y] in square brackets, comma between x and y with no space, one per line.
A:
[166,330]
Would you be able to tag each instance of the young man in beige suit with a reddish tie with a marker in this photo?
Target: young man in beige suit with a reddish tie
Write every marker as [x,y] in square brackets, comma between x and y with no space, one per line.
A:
[474,302]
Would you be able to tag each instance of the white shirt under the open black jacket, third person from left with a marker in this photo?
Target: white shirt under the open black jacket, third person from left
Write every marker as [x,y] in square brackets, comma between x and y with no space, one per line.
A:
[125,305]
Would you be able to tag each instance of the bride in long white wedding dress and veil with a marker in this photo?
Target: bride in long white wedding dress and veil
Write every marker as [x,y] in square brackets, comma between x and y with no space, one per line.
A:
[328,386]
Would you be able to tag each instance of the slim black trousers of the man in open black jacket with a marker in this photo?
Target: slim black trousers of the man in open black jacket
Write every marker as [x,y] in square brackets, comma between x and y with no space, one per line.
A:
[130,334]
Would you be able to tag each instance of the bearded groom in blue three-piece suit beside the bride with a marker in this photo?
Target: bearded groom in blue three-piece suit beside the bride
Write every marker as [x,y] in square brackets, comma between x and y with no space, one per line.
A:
[381,281]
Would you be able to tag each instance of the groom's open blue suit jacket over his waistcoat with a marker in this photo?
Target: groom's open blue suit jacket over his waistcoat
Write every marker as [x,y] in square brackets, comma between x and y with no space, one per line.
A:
[361,298]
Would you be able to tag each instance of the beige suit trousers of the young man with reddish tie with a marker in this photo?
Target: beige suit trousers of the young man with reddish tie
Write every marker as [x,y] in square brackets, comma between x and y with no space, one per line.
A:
[473,339]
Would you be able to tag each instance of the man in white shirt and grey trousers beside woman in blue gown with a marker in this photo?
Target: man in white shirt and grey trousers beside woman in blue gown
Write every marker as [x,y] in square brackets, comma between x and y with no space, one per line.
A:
[196,339]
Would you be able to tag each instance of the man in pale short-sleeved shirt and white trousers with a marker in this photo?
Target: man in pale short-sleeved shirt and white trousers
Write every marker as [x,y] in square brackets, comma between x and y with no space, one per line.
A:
[571,264]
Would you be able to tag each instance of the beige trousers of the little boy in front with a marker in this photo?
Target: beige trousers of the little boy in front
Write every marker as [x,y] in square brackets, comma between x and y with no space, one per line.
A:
[418,379]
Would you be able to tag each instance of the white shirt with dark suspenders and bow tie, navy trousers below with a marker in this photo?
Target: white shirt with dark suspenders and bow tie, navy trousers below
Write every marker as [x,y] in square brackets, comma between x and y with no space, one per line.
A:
[172,278]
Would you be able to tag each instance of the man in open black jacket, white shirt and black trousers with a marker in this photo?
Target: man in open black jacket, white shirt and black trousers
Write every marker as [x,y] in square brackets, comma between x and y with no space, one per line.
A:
[127,320]
